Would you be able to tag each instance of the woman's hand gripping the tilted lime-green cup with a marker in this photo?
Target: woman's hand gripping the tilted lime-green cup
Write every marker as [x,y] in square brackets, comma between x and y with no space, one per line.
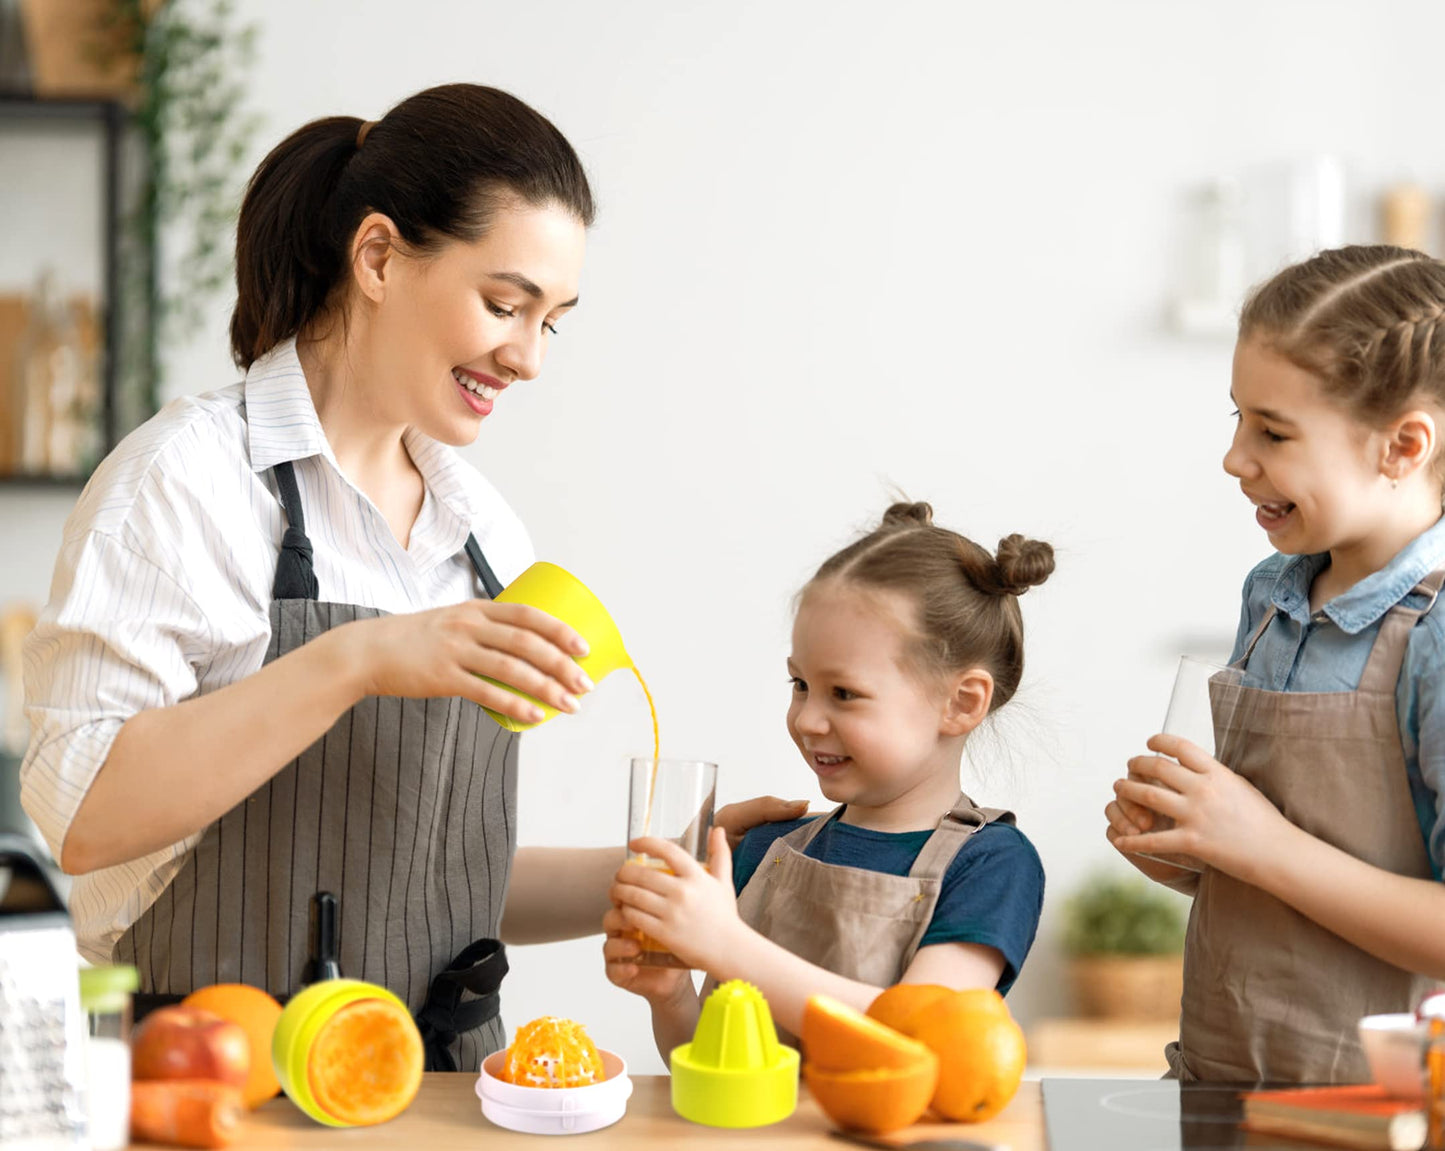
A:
[446,652]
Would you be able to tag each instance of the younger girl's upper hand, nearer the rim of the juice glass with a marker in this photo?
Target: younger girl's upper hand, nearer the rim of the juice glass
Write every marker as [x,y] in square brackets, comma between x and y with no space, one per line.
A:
[690,911]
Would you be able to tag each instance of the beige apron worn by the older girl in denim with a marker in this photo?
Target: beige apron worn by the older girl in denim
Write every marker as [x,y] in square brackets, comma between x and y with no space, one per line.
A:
[1268,993]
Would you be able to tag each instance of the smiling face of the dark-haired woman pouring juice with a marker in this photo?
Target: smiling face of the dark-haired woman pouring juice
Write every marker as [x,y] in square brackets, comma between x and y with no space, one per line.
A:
[457,327]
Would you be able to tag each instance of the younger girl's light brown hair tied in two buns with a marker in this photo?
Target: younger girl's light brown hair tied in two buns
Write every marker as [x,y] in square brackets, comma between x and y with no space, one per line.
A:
[967,600]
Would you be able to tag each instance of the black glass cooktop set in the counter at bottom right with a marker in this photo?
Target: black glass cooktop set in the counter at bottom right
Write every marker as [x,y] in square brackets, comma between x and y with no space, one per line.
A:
[1149,1116]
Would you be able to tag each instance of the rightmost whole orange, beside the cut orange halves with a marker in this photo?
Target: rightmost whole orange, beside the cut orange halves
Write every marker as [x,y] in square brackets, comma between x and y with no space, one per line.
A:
[980,1054]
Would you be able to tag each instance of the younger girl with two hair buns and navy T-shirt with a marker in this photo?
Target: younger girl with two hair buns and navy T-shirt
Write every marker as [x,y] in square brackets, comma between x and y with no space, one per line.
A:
[904,643]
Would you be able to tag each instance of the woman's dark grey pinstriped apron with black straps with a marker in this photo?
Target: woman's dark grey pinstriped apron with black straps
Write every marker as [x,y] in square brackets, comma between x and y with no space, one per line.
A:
[405,809]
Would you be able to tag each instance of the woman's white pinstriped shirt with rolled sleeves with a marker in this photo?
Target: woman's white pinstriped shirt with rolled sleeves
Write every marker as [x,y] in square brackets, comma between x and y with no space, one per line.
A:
[163,588]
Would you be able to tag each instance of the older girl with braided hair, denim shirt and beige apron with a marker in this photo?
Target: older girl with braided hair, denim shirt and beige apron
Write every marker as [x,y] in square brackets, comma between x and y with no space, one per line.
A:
[1323,833]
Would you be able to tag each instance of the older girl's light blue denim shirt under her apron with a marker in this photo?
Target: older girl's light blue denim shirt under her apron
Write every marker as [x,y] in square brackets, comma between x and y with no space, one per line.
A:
[1327,652]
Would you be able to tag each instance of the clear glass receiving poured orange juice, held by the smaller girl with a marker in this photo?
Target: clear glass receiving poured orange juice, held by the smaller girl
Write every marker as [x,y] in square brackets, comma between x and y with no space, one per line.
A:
[671,799]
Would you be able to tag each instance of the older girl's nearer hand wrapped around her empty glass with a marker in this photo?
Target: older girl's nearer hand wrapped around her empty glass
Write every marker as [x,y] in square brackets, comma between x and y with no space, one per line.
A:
[1220,818]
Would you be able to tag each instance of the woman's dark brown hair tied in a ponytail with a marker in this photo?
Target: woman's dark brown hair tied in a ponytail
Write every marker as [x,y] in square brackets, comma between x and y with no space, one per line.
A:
[437,165]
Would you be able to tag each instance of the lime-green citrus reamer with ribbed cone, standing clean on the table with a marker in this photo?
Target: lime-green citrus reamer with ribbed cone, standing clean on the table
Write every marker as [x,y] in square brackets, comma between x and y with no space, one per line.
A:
[735,1072]
